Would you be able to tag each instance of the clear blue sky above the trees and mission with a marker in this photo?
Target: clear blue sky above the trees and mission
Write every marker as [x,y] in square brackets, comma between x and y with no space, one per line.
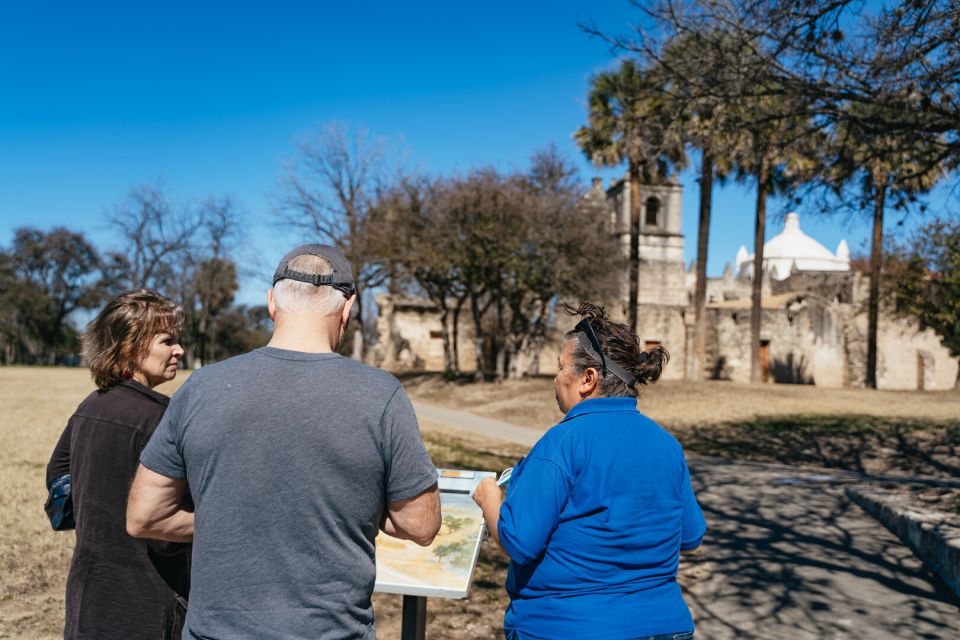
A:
[98,97]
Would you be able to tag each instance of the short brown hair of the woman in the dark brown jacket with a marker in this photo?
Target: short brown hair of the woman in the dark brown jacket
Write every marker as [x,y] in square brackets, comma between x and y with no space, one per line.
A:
[115,341]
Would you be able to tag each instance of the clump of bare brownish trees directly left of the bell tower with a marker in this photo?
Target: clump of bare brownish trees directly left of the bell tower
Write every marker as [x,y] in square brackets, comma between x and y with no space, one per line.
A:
[507,246]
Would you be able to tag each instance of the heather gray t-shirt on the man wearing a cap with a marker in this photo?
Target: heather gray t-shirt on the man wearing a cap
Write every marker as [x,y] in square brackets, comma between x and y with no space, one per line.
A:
[290,458]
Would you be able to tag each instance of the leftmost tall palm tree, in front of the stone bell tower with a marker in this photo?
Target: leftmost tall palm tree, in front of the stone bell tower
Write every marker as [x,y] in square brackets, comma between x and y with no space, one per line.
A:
[630,120]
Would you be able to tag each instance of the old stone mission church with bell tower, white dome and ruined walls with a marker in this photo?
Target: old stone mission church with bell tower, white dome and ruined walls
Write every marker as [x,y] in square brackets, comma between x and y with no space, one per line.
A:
[813,326]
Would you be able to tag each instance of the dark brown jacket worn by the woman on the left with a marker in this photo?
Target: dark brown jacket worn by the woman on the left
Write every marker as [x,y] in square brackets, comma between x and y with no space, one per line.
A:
[113,589]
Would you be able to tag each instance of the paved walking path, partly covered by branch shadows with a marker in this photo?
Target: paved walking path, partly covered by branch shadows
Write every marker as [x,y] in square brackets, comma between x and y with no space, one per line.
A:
[787,554]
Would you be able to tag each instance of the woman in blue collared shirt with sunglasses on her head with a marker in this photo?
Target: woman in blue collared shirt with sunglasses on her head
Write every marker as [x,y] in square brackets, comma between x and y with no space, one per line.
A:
[596,515]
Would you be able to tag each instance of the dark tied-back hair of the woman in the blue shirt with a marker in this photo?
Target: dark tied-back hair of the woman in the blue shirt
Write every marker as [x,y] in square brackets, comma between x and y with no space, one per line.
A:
[620,344]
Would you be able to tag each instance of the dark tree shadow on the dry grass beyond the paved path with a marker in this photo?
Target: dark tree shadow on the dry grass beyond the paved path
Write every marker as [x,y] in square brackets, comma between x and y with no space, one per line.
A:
[852,442]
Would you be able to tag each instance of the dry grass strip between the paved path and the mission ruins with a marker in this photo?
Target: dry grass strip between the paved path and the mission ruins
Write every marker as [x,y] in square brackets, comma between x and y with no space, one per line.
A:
[899,432]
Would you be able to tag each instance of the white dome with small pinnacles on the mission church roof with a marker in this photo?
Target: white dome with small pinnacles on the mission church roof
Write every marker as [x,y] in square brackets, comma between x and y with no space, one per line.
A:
[792,248]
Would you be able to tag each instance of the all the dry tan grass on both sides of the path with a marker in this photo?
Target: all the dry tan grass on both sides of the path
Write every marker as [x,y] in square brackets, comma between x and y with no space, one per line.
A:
[878,431]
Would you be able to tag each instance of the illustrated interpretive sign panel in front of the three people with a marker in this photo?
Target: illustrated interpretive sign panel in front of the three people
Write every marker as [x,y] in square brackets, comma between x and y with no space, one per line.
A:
[445,568]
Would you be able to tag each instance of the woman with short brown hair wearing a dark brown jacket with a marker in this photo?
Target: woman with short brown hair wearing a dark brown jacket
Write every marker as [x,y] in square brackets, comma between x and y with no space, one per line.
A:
[114,589]
